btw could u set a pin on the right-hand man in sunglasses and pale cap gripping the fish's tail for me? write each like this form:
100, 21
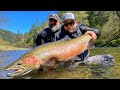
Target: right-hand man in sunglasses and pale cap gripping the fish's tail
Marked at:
71, 29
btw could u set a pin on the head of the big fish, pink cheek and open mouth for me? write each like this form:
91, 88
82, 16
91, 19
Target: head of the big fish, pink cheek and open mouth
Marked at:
22, 66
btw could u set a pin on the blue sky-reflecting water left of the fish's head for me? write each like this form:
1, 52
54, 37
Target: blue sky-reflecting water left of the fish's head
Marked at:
7, 58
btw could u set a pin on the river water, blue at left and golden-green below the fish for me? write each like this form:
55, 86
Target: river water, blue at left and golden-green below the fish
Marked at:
81, 72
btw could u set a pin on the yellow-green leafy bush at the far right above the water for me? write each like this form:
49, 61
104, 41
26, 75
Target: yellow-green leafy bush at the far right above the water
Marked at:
110, 30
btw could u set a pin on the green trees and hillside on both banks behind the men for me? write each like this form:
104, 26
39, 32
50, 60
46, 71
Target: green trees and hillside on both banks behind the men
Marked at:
108, 22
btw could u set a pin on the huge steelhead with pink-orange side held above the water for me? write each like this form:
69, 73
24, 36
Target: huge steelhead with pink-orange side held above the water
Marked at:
49, 54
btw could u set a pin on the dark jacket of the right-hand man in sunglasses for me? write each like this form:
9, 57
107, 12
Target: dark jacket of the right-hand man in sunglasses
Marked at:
80, 30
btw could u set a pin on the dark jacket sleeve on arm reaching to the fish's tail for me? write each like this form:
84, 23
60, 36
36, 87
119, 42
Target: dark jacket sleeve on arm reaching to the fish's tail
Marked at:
85, 28
